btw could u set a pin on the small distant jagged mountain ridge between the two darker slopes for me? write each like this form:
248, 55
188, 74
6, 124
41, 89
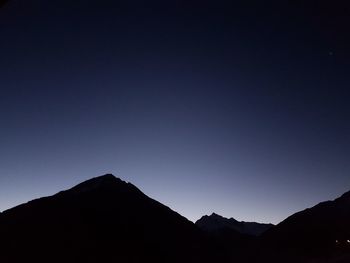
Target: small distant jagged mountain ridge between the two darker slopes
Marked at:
215, 223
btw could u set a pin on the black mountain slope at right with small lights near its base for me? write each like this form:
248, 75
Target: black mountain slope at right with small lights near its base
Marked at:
320, 233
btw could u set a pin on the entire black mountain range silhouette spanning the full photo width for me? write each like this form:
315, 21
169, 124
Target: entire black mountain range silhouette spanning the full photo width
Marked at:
106, 219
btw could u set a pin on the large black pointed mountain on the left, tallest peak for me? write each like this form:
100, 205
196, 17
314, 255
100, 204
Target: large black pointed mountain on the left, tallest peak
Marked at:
101, 220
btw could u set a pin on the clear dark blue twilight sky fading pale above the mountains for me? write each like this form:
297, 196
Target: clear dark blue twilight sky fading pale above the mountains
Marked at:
234, 107
